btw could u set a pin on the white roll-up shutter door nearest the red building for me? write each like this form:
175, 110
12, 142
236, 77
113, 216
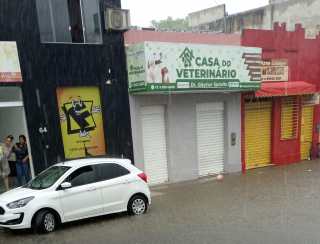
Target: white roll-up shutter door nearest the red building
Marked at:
210, 138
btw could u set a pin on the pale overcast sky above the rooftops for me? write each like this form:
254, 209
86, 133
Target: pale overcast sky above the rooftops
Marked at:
143, 11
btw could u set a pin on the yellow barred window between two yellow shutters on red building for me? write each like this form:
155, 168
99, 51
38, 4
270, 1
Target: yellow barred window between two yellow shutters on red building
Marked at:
289, 118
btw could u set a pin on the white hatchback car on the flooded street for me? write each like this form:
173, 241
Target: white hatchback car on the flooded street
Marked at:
75, 190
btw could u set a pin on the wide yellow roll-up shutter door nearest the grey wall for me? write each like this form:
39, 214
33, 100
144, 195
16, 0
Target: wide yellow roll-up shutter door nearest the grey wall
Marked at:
257, 133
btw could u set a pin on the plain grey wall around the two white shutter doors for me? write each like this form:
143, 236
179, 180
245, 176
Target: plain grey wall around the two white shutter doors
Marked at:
181, 131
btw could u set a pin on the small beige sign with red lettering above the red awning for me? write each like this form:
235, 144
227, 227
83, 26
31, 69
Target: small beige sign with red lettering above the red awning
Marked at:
275, 70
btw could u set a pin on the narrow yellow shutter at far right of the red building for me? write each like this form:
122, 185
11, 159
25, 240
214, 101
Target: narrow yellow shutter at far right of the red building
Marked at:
306, 128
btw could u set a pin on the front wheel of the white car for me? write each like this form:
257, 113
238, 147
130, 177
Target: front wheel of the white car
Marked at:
45, 222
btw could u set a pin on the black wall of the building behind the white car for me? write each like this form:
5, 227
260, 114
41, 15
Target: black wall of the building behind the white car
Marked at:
48, 66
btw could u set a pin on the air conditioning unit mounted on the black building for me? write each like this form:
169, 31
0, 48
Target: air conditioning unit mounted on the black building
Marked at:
117, 19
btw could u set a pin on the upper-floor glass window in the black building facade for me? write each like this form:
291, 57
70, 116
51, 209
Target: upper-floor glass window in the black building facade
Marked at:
69, 21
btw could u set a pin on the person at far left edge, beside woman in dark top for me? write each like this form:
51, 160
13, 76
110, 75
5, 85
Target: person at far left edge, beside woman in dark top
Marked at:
5, 152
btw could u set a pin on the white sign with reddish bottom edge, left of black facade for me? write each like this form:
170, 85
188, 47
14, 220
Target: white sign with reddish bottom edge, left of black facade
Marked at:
9, 63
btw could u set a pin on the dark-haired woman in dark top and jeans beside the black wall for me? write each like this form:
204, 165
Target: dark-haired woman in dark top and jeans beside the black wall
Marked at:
22, 160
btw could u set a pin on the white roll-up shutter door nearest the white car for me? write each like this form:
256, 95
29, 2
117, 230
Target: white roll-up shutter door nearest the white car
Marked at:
154, 144
